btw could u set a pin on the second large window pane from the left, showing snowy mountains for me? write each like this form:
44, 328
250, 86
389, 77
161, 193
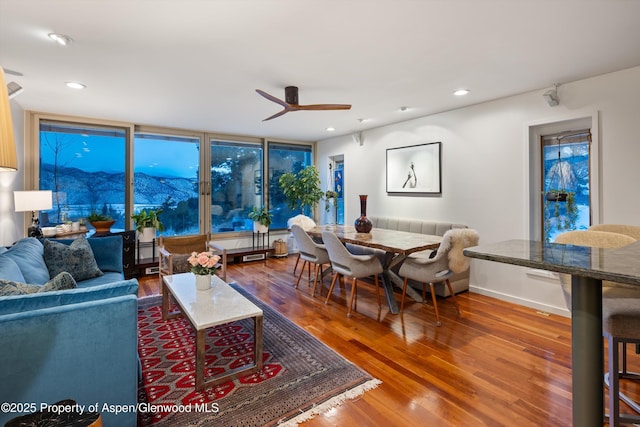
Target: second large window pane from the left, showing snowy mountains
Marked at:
166, 176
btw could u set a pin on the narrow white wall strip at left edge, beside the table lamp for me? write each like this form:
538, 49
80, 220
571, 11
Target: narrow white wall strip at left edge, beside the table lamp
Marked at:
12, 223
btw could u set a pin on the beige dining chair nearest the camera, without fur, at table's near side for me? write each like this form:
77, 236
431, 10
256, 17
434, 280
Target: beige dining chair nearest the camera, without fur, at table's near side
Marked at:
347, 264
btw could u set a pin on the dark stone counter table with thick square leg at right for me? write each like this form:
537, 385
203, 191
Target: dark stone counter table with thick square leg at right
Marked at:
588, 267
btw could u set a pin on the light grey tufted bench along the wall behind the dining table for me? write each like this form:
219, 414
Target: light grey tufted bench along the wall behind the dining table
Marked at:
459, 282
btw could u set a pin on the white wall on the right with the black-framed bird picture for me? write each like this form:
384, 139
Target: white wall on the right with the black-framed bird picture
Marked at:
485, 169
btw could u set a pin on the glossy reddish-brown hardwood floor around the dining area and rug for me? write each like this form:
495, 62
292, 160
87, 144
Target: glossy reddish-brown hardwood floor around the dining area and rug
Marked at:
498, 364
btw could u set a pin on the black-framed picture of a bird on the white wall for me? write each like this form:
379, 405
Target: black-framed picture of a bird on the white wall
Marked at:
415, 169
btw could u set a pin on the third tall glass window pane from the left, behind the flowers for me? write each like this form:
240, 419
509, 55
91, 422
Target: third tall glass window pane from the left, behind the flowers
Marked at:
236, 184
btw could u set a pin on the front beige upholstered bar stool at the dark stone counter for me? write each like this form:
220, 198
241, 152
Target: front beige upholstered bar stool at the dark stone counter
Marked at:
620, 319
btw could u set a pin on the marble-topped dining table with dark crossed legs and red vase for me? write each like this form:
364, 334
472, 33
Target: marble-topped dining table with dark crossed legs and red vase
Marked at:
395, 244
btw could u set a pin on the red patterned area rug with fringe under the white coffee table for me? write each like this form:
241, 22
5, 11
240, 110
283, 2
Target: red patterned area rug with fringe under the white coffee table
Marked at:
301, 377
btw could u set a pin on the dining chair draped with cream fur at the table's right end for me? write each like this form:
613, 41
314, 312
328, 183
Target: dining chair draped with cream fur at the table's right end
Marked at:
439, 266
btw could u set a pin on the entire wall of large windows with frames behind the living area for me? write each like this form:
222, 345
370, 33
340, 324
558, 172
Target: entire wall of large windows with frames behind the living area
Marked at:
202, 182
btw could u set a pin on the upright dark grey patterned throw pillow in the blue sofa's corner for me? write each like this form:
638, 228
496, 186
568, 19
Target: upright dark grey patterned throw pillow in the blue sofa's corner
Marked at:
76, 259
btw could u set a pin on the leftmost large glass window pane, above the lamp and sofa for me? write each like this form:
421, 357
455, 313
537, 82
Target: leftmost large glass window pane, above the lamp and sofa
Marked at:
84, 166
